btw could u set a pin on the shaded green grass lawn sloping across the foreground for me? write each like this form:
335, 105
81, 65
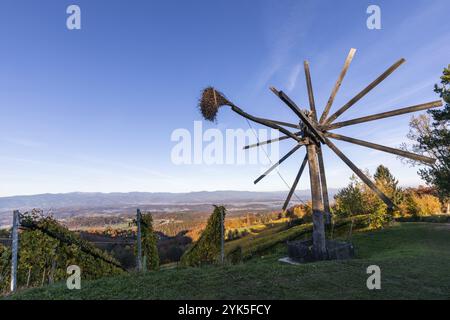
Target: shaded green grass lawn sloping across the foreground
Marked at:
414, 259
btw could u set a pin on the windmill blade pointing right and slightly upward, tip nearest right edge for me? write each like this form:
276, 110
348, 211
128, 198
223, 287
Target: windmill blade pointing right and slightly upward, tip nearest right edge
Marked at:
419, 107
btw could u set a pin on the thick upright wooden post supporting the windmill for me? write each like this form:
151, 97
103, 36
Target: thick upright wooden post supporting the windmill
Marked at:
319, 244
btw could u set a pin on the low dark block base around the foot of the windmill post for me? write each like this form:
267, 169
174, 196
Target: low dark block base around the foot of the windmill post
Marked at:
302, 251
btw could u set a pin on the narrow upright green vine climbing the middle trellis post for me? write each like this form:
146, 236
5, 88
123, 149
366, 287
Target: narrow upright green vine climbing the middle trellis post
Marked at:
149, 242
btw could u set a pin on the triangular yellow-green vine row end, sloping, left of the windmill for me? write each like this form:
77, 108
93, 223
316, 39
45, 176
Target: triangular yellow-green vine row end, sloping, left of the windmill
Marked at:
207, 249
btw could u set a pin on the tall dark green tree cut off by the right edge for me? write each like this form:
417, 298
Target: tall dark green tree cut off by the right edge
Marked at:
431, 136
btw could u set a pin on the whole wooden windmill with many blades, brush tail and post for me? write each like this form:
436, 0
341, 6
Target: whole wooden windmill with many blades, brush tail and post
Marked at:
314, 133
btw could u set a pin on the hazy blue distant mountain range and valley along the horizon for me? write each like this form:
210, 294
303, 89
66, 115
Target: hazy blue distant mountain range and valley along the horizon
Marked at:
82, 203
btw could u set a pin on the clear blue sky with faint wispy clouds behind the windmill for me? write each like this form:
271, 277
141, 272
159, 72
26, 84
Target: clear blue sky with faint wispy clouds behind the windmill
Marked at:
94, 109
